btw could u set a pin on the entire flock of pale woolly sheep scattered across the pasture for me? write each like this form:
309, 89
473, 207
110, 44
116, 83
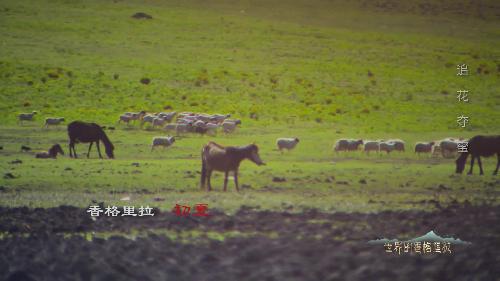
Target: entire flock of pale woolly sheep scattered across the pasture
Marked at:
190, 122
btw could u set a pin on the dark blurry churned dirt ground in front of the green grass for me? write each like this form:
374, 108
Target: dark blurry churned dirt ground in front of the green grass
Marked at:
37, 244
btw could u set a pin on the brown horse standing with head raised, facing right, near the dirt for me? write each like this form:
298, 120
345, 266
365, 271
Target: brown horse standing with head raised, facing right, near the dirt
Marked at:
225, 159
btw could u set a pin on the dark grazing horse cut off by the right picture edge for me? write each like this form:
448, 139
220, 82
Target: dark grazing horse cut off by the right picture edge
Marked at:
480, 146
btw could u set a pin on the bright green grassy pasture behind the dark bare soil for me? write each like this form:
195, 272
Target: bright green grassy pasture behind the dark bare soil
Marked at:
318, 70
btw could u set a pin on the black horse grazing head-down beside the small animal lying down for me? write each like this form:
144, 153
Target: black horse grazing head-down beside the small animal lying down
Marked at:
79, 131
